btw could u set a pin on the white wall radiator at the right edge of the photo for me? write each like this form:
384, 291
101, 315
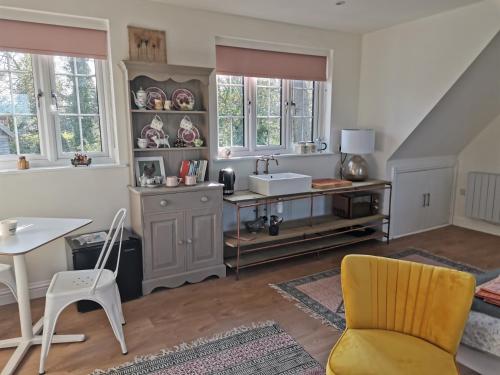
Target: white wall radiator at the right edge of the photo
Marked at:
482, 199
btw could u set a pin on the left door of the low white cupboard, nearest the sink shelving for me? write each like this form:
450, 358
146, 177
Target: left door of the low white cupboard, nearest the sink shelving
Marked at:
408, 215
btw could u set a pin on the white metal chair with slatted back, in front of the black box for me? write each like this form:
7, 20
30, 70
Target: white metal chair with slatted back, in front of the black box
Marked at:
97, 285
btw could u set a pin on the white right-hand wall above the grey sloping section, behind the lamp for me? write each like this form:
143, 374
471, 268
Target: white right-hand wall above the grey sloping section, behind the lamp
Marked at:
406, 70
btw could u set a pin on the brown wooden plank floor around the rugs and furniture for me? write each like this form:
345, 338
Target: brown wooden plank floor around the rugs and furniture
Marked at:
169, 317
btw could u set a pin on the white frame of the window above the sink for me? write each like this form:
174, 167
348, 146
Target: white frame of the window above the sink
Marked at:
250, 148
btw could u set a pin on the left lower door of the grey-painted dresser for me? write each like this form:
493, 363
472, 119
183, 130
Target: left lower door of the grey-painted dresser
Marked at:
164, 247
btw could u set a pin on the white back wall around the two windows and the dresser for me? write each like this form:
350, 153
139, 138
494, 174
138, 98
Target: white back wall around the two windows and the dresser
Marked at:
190, 41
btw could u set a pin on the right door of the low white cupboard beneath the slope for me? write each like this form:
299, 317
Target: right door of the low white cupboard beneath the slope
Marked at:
440, 186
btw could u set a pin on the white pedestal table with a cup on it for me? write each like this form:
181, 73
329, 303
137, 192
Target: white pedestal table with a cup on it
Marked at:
32, 233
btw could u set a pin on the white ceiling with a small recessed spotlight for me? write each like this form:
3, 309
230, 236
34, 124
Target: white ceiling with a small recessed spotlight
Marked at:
358, 16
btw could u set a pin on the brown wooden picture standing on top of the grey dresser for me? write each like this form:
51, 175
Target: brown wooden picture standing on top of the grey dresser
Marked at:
147, 45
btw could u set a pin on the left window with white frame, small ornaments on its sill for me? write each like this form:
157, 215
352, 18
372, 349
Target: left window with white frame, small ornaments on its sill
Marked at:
50, 108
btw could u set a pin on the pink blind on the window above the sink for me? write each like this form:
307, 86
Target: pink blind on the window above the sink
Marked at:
269, 64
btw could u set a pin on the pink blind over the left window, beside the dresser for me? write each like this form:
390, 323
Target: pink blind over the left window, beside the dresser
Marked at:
45, 39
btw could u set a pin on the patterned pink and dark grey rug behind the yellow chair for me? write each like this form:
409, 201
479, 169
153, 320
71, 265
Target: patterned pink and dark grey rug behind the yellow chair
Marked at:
320, 295
